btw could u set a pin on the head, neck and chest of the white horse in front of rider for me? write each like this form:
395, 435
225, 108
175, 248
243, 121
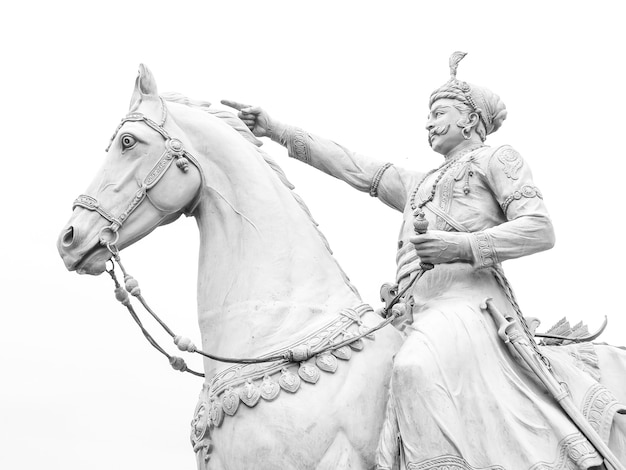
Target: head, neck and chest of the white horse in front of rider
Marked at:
267, 286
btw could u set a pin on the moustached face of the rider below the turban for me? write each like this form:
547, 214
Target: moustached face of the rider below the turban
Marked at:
444, 134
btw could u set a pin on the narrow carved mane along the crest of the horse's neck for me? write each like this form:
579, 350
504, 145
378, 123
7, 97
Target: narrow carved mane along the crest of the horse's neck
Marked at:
237, 124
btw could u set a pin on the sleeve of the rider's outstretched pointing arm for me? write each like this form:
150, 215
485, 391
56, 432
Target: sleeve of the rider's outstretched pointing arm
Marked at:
387, 182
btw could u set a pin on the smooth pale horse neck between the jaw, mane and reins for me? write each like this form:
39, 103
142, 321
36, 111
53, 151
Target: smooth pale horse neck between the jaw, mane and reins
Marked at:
265, 274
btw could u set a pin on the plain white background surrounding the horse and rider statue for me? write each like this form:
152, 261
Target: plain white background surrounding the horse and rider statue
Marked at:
79, 386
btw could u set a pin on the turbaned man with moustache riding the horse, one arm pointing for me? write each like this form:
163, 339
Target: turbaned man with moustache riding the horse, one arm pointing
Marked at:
458, 398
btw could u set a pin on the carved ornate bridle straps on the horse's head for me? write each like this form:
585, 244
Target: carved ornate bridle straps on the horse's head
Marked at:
174, 151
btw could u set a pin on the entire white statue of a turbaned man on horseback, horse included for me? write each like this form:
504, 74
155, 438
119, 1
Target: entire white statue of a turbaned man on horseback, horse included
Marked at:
300, 373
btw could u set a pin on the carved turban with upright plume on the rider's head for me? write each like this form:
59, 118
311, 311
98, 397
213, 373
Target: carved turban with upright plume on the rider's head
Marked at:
484, 102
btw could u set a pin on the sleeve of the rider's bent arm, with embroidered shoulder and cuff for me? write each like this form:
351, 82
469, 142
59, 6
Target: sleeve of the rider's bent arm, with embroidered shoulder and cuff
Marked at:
527, 227
